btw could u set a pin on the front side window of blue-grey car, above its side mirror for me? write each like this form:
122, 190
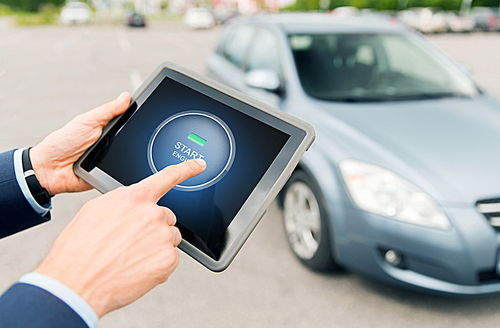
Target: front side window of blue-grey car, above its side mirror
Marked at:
264, 52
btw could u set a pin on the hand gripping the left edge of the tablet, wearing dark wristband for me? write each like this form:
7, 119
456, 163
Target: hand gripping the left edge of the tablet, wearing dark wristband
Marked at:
53, 158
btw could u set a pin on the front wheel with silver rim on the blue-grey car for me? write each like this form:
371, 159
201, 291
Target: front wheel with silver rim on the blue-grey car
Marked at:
305, 223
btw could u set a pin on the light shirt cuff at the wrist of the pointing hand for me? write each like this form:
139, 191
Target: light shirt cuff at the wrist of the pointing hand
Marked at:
65, 294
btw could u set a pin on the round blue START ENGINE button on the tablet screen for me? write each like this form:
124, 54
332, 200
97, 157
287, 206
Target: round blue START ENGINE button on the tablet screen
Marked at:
193, 135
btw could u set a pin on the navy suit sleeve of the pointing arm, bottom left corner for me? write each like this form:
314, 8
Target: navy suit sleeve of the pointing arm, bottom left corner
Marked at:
27, 306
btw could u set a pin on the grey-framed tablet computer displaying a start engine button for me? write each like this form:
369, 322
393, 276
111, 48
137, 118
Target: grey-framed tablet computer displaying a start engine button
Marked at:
250, 149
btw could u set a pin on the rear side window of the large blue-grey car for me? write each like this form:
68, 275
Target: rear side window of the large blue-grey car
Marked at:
237, 42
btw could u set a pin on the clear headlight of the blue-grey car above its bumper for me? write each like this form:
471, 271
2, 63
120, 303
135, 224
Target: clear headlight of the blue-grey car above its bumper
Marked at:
381, 191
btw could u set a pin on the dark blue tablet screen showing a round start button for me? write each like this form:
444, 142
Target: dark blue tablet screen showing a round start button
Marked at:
177, 123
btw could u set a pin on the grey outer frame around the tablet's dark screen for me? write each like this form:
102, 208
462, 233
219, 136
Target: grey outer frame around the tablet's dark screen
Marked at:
267, 188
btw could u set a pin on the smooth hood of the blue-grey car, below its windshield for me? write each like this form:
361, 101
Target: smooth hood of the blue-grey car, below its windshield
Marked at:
449, 147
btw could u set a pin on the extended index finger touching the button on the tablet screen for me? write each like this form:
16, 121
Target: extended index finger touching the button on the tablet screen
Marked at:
160, 183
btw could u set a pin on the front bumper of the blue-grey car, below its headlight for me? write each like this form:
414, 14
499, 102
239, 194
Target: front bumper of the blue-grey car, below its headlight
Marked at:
460, 261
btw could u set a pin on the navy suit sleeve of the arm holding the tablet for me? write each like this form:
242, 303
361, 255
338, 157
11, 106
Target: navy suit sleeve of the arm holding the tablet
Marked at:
16, 214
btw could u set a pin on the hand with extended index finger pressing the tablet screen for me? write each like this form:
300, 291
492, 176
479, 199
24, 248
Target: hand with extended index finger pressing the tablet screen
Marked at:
122, 244
